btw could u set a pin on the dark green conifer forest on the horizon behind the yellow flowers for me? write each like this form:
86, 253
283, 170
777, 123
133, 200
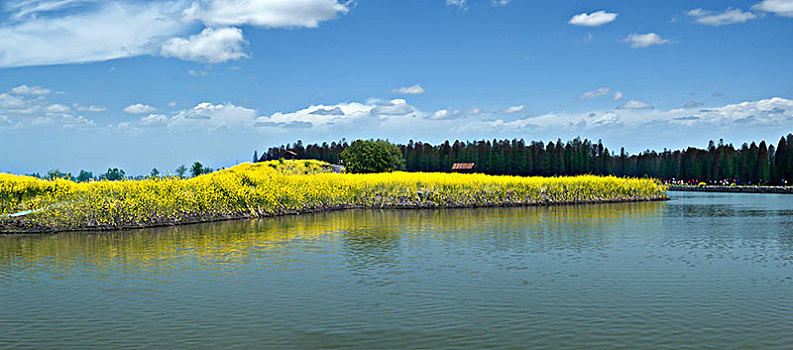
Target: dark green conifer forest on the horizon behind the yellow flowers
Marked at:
718, 163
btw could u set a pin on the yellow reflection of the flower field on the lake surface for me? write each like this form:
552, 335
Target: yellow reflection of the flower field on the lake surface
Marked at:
363, 233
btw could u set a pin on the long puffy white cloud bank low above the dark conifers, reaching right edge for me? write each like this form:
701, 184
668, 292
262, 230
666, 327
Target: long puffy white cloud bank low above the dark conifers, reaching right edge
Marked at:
385, 115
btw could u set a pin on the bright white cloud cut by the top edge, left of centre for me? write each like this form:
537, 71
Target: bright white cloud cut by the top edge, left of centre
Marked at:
270, 14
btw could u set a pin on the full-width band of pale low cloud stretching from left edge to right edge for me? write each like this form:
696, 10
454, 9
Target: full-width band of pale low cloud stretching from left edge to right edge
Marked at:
399, 120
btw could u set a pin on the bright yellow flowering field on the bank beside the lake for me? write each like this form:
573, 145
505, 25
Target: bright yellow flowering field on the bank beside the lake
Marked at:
283, 188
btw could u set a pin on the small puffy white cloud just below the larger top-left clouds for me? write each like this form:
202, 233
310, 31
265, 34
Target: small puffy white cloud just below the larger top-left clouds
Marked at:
211, 46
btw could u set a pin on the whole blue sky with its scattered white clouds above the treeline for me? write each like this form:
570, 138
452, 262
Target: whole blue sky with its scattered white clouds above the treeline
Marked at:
93, 84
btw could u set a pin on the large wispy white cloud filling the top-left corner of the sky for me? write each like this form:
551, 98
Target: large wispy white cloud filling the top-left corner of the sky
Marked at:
111, 30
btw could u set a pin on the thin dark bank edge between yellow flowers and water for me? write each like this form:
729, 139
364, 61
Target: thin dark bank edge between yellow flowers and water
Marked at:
4, 230
